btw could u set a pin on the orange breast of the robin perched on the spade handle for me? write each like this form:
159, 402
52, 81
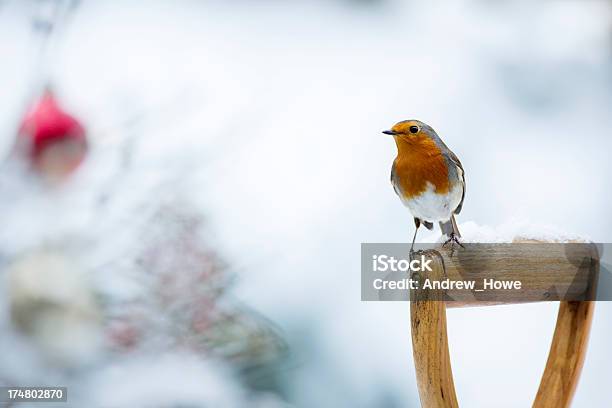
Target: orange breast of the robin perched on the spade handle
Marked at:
419, 161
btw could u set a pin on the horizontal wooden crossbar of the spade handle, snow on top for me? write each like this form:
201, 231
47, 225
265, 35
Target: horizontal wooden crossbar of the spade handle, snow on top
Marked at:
547, 271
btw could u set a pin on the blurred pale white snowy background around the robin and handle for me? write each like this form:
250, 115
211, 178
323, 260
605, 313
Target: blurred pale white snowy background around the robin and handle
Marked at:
263, 119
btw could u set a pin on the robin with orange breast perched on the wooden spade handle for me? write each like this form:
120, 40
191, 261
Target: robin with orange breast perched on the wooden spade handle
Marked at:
428, 177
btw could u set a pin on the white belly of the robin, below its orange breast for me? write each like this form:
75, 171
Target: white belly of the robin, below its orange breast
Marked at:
433, 207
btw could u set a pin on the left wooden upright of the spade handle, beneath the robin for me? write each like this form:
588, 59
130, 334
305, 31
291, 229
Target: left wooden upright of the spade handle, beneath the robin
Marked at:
430, 346
